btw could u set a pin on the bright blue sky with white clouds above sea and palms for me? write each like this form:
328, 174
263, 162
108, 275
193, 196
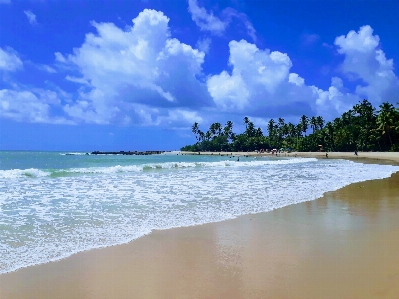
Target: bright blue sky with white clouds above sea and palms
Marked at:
135, 75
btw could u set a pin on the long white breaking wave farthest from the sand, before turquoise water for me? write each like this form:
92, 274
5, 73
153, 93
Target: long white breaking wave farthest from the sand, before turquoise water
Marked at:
37, 173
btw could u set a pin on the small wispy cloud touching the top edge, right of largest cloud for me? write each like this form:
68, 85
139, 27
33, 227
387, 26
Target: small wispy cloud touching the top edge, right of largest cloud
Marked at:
204, 20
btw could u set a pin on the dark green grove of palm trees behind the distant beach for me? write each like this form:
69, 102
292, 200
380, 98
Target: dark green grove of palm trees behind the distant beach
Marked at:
362, 128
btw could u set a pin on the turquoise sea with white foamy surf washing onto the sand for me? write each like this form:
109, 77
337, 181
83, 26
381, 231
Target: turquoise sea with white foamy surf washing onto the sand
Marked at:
55, 204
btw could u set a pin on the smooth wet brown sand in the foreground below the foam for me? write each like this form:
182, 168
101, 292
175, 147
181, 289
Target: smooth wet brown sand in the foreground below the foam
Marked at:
343, 245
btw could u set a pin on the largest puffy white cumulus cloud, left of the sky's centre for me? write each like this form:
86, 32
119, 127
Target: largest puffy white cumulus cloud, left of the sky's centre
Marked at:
139, 66
